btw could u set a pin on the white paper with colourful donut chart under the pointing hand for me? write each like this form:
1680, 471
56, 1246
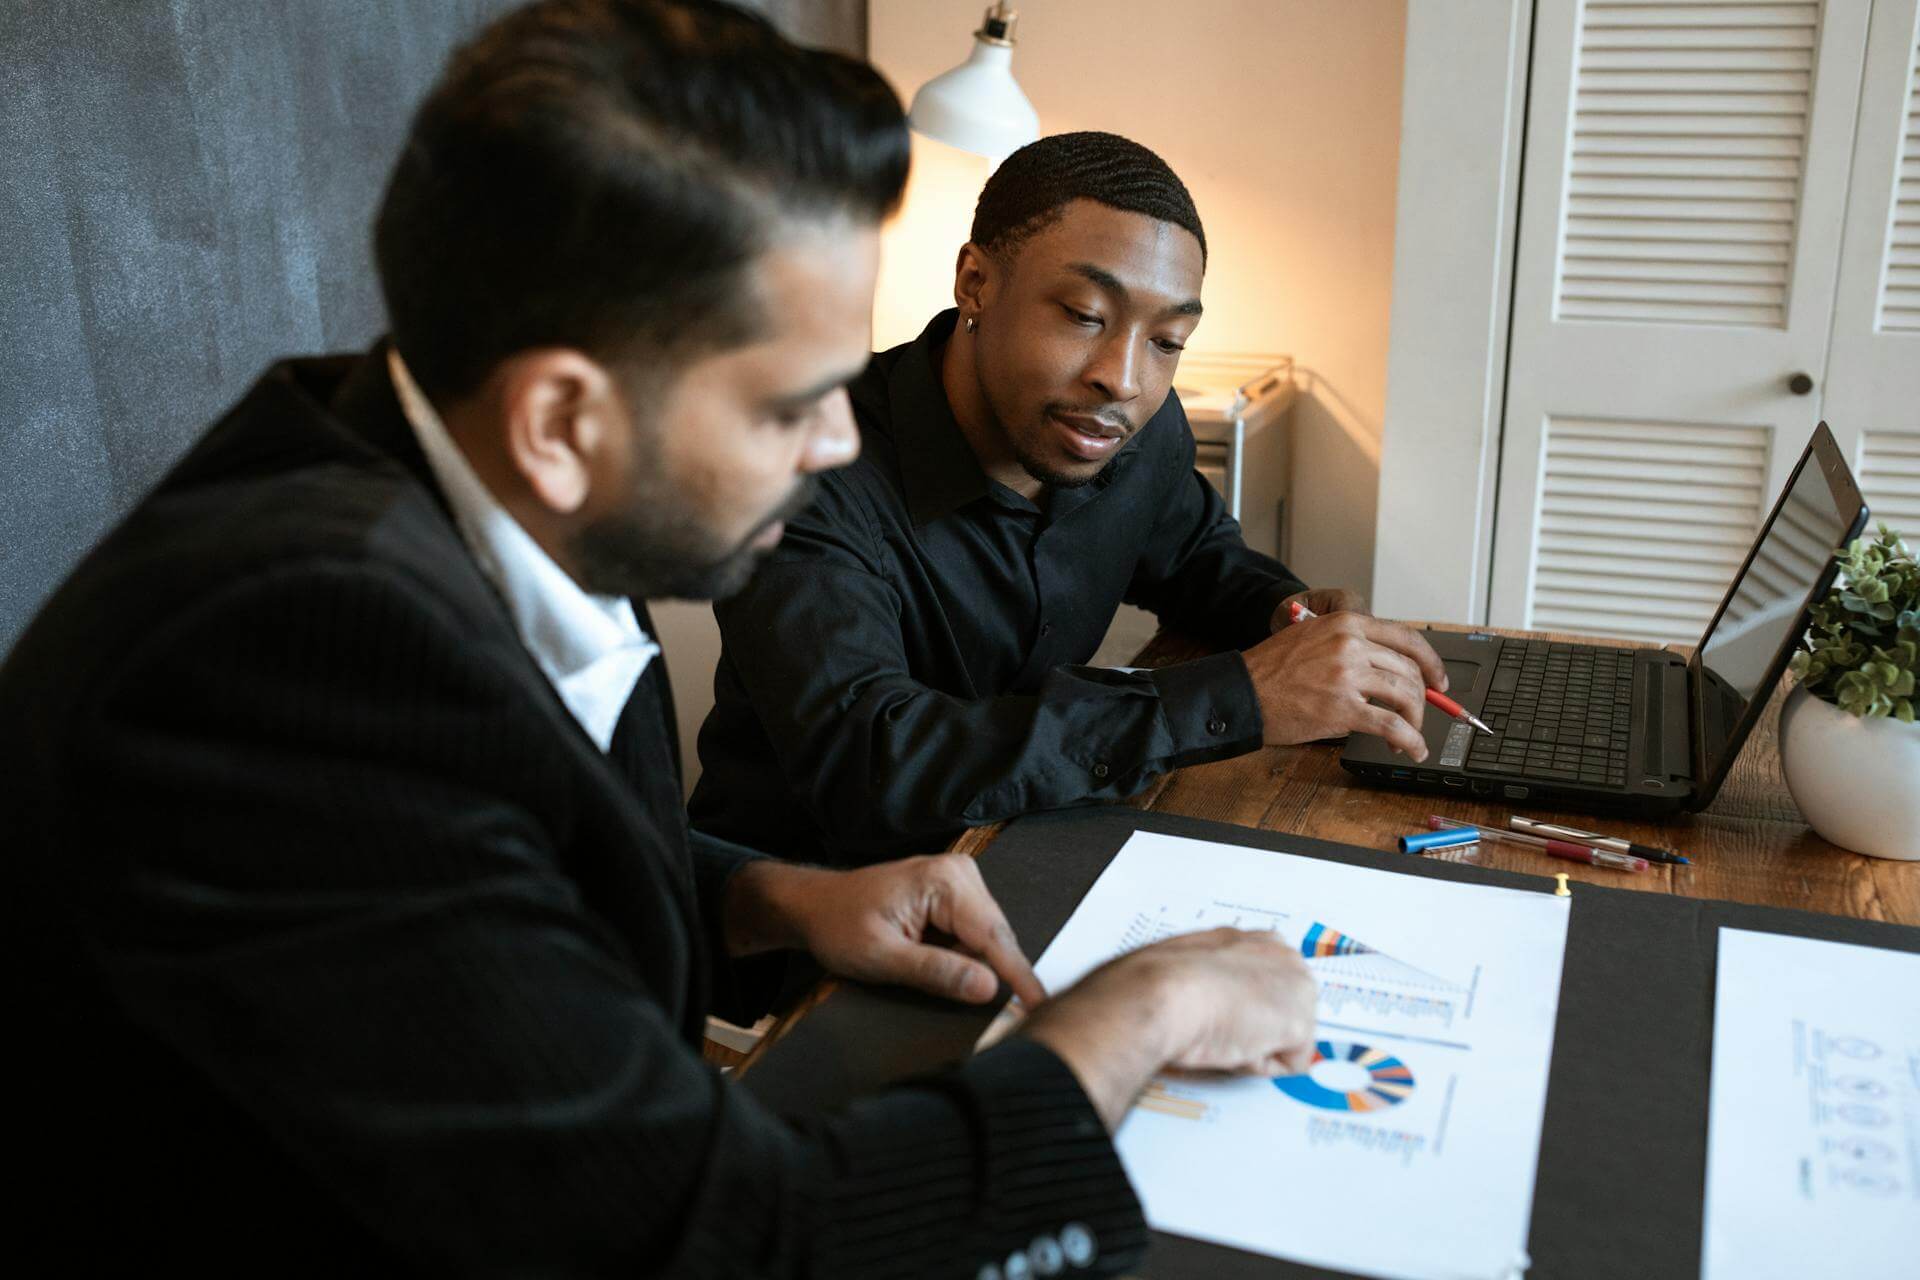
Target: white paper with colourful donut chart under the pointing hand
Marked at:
1408, 1150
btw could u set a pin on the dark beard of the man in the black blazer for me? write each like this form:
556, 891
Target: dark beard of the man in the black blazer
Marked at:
658, 550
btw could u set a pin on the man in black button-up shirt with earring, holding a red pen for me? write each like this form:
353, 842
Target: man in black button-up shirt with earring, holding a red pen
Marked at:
909, 661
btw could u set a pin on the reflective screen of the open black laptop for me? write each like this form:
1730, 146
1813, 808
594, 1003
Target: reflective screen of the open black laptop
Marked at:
1748, 644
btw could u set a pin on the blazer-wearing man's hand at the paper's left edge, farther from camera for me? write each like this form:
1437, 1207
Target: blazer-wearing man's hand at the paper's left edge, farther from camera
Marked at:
886, 924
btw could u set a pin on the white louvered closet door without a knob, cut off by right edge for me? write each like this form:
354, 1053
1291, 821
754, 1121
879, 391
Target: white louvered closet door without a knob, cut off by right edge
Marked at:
1873, 385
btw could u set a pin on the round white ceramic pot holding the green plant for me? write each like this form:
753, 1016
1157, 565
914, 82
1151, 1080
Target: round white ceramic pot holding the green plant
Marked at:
1858, 782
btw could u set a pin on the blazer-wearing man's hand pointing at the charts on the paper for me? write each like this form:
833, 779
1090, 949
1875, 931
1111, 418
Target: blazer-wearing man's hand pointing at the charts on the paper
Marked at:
1220, 1001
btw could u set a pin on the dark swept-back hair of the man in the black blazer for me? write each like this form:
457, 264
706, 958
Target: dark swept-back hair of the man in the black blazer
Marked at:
598, 174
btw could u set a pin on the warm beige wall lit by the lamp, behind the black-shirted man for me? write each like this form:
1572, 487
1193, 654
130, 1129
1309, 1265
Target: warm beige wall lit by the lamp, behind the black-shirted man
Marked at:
1284, 118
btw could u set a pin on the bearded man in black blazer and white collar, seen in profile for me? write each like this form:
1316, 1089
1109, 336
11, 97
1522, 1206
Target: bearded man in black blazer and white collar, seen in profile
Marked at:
354, 914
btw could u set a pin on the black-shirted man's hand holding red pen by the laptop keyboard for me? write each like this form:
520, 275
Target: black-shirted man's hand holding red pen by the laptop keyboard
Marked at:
1320, 678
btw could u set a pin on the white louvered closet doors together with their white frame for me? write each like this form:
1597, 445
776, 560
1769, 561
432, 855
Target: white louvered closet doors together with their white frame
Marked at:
1717, 247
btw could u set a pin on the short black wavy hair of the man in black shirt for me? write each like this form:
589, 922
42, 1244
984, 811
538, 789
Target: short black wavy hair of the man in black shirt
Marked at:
1034, 187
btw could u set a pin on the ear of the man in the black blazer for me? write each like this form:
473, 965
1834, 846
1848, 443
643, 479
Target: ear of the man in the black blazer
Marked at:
564, 419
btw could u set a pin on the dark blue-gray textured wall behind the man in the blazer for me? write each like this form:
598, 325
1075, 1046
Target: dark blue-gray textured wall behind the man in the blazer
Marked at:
185, 197
